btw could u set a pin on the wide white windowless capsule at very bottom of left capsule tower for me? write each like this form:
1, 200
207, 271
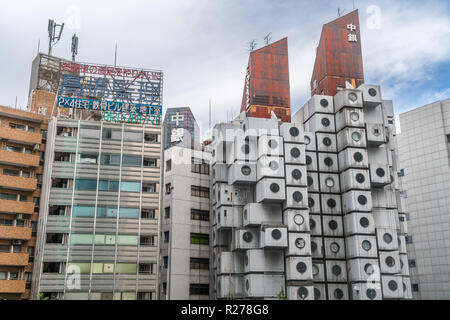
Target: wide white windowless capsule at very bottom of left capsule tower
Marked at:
263, 285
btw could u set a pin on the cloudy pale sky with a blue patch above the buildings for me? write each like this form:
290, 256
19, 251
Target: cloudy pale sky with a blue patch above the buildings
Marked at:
202, 46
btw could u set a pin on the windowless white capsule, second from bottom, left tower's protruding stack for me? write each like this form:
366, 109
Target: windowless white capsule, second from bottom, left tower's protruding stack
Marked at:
260, 260
